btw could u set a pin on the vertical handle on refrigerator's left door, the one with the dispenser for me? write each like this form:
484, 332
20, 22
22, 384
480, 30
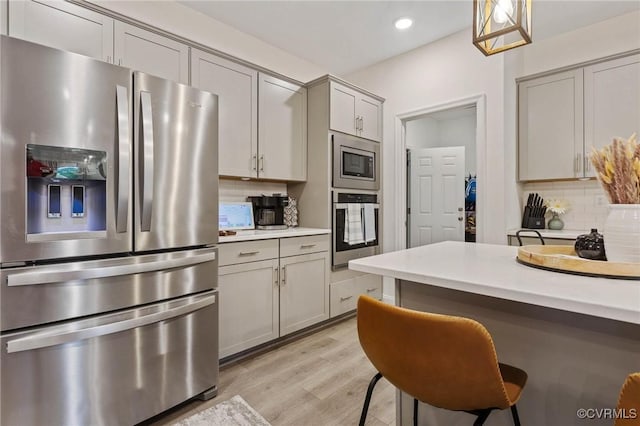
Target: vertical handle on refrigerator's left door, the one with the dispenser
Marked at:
122, 207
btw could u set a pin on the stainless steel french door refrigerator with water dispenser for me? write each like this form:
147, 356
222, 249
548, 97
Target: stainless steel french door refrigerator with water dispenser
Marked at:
108, 208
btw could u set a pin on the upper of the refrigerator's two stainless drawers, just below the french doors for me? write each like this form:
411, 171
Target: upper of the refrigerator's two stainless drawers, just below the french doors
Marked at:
41, 294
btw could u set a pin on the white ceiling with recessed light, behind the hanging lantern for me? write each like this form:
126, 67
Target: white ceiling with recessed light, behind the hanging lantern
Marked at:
344, 36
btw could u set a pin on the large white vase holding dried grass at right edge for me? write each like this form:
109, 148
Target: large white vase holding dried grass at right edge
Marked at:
622, 233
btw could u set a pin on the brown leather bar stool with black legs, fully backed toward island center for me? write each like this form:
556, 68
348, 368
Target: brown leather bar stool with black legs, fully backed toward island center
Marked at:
444, 361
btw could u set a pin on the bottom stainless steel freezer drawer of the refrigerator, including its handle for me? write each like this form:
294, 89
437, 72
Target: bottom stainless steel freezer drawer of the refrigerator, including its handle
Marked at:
118, 368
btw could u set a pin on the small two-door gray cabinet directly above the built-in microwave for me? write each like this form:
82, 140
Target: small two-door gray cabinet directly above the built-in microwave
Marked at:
355, 113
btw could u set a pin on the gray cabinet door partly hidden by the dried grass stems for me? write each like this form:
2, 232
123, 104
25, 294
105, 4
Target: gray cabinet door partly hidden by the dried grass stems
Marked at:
611, 102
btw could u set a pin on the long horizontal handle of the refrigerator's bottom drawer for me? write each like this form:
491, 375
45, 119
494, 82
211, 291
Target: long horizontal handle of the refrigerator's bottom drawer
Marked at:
49, 338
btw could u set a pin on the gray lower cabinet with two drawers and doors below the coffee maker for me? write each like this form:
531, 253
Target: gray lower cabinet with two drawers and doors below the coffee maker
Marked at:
271, 288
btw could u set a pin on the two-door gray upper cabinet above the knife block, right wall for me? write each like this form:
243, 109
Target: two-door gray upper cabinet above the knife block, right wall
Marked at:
562, 116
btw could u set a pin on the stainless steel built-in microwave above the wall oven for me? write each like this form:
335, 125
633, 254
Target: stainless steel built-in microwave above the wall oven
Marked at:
356, 163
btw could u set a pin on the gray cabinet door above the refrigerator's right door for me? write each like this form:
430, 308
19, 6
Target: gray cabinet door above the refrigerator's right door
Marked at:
151, 53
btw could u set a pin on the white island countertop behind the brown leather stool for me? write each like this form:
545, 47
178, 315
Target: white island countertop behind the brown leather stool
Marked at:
492, 270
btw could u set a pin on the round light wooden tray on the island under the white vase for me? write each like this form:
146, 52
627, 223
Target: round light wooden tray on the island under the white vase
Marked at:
564, 259
